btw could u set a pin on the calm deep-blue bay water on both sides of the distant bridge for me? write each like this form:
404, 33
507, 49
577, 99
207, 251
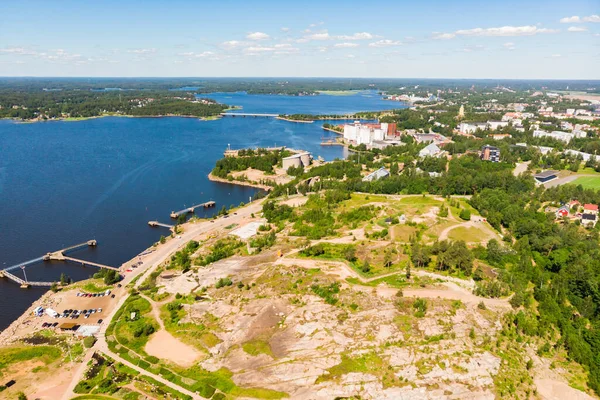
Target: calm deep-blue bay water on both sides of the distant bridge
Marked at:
63, 183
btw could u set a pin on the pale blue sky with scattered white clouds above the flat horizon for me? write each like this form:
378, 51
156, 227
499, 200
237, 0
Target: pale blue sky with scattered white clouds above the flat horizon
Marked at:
544, 39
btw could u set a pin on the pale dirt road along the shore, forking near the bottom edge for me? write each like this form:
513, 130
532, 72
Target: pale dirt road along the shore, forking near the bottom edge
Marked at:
152, 261
